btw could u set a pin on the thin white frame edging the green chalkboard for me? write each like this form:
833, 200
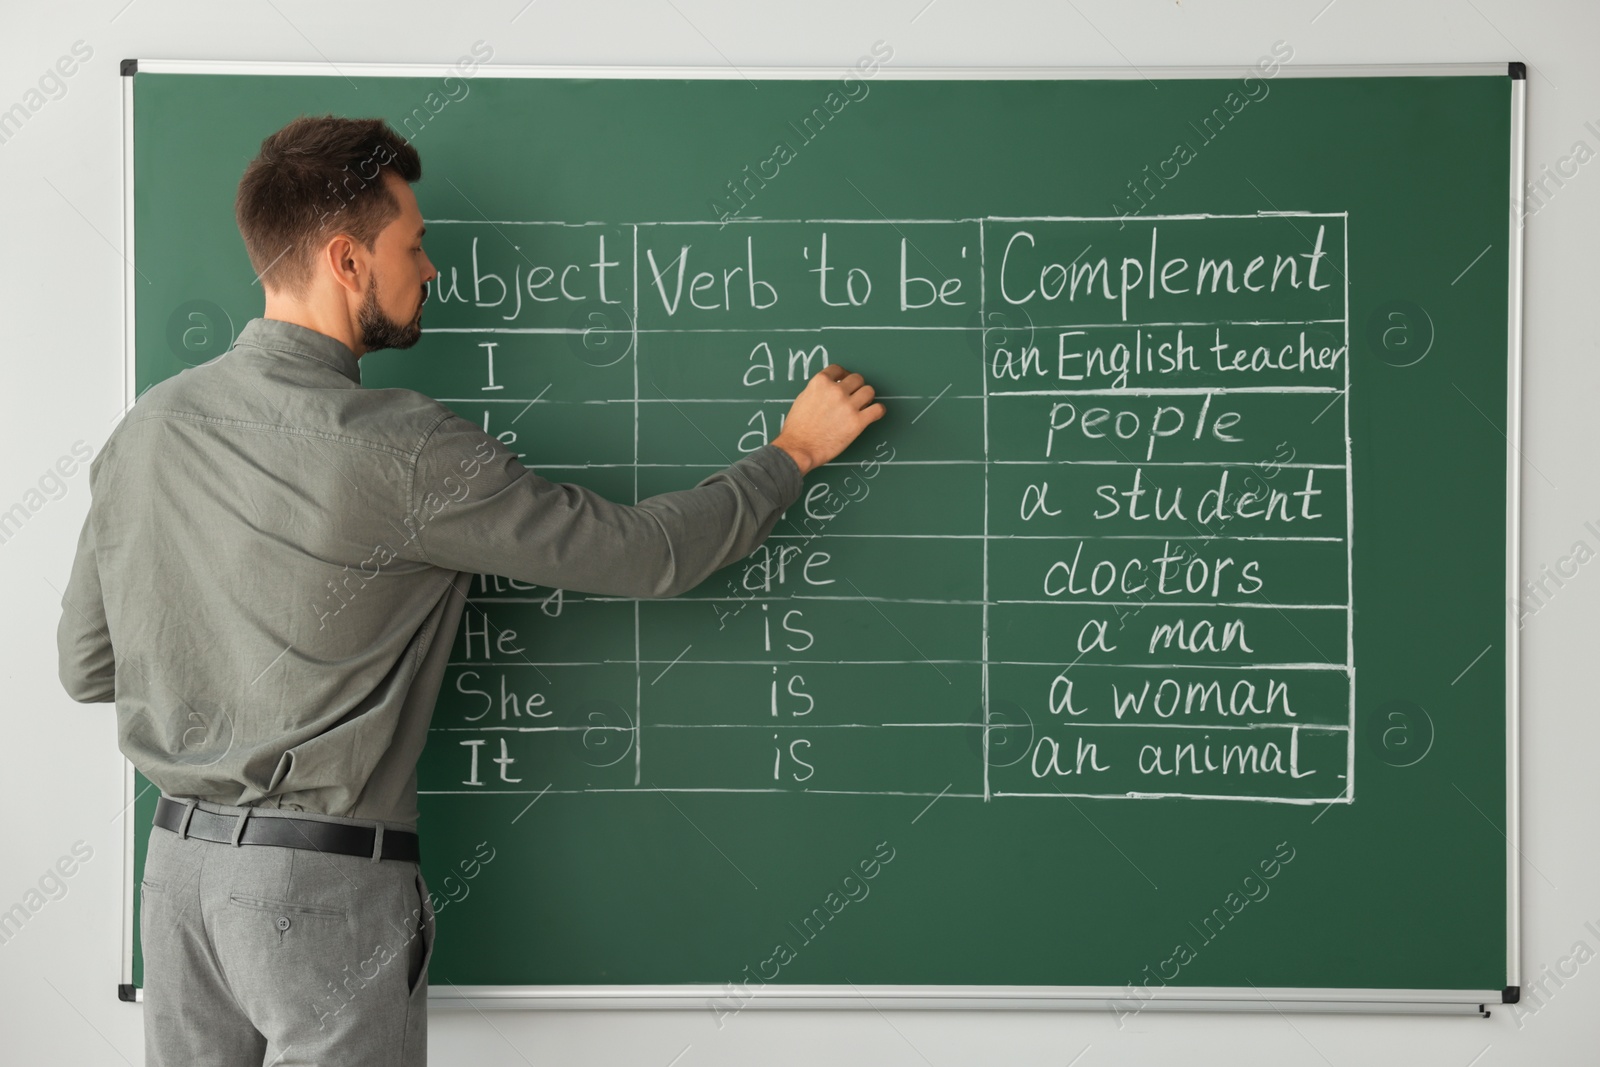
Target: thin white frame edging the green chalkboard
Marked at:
956, 997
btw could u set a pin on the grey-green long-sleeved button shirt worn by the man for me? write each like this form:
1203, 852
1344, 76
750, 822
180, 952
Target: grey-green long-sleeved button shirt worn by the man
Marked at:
276, 562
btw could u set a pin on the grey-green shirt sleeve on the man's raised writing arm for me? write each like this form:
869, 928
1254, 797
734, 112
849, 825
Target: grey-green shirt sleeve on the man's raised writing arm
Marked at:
476, 508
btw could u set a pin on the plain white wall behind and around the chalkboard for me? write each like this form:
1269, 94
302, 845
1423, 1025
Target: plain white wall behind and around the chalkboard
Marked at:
62, 338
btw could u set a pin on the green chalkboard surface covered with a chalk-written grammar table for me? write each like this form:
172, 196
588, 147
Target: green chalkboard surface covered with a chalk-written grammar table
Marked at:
1158, 639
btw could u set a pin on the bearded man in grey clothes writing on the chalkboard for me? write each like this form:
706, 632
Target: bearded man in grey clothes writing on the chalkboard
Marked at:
270, 583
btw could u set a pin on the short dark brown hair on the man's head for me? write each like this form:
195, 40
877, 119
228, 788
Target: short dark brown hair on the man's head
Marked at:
313, 180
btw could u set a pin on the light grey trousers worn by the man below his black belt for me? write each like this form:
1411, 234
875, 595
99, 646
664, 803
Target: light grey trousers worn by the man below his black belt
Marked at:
282, 957
